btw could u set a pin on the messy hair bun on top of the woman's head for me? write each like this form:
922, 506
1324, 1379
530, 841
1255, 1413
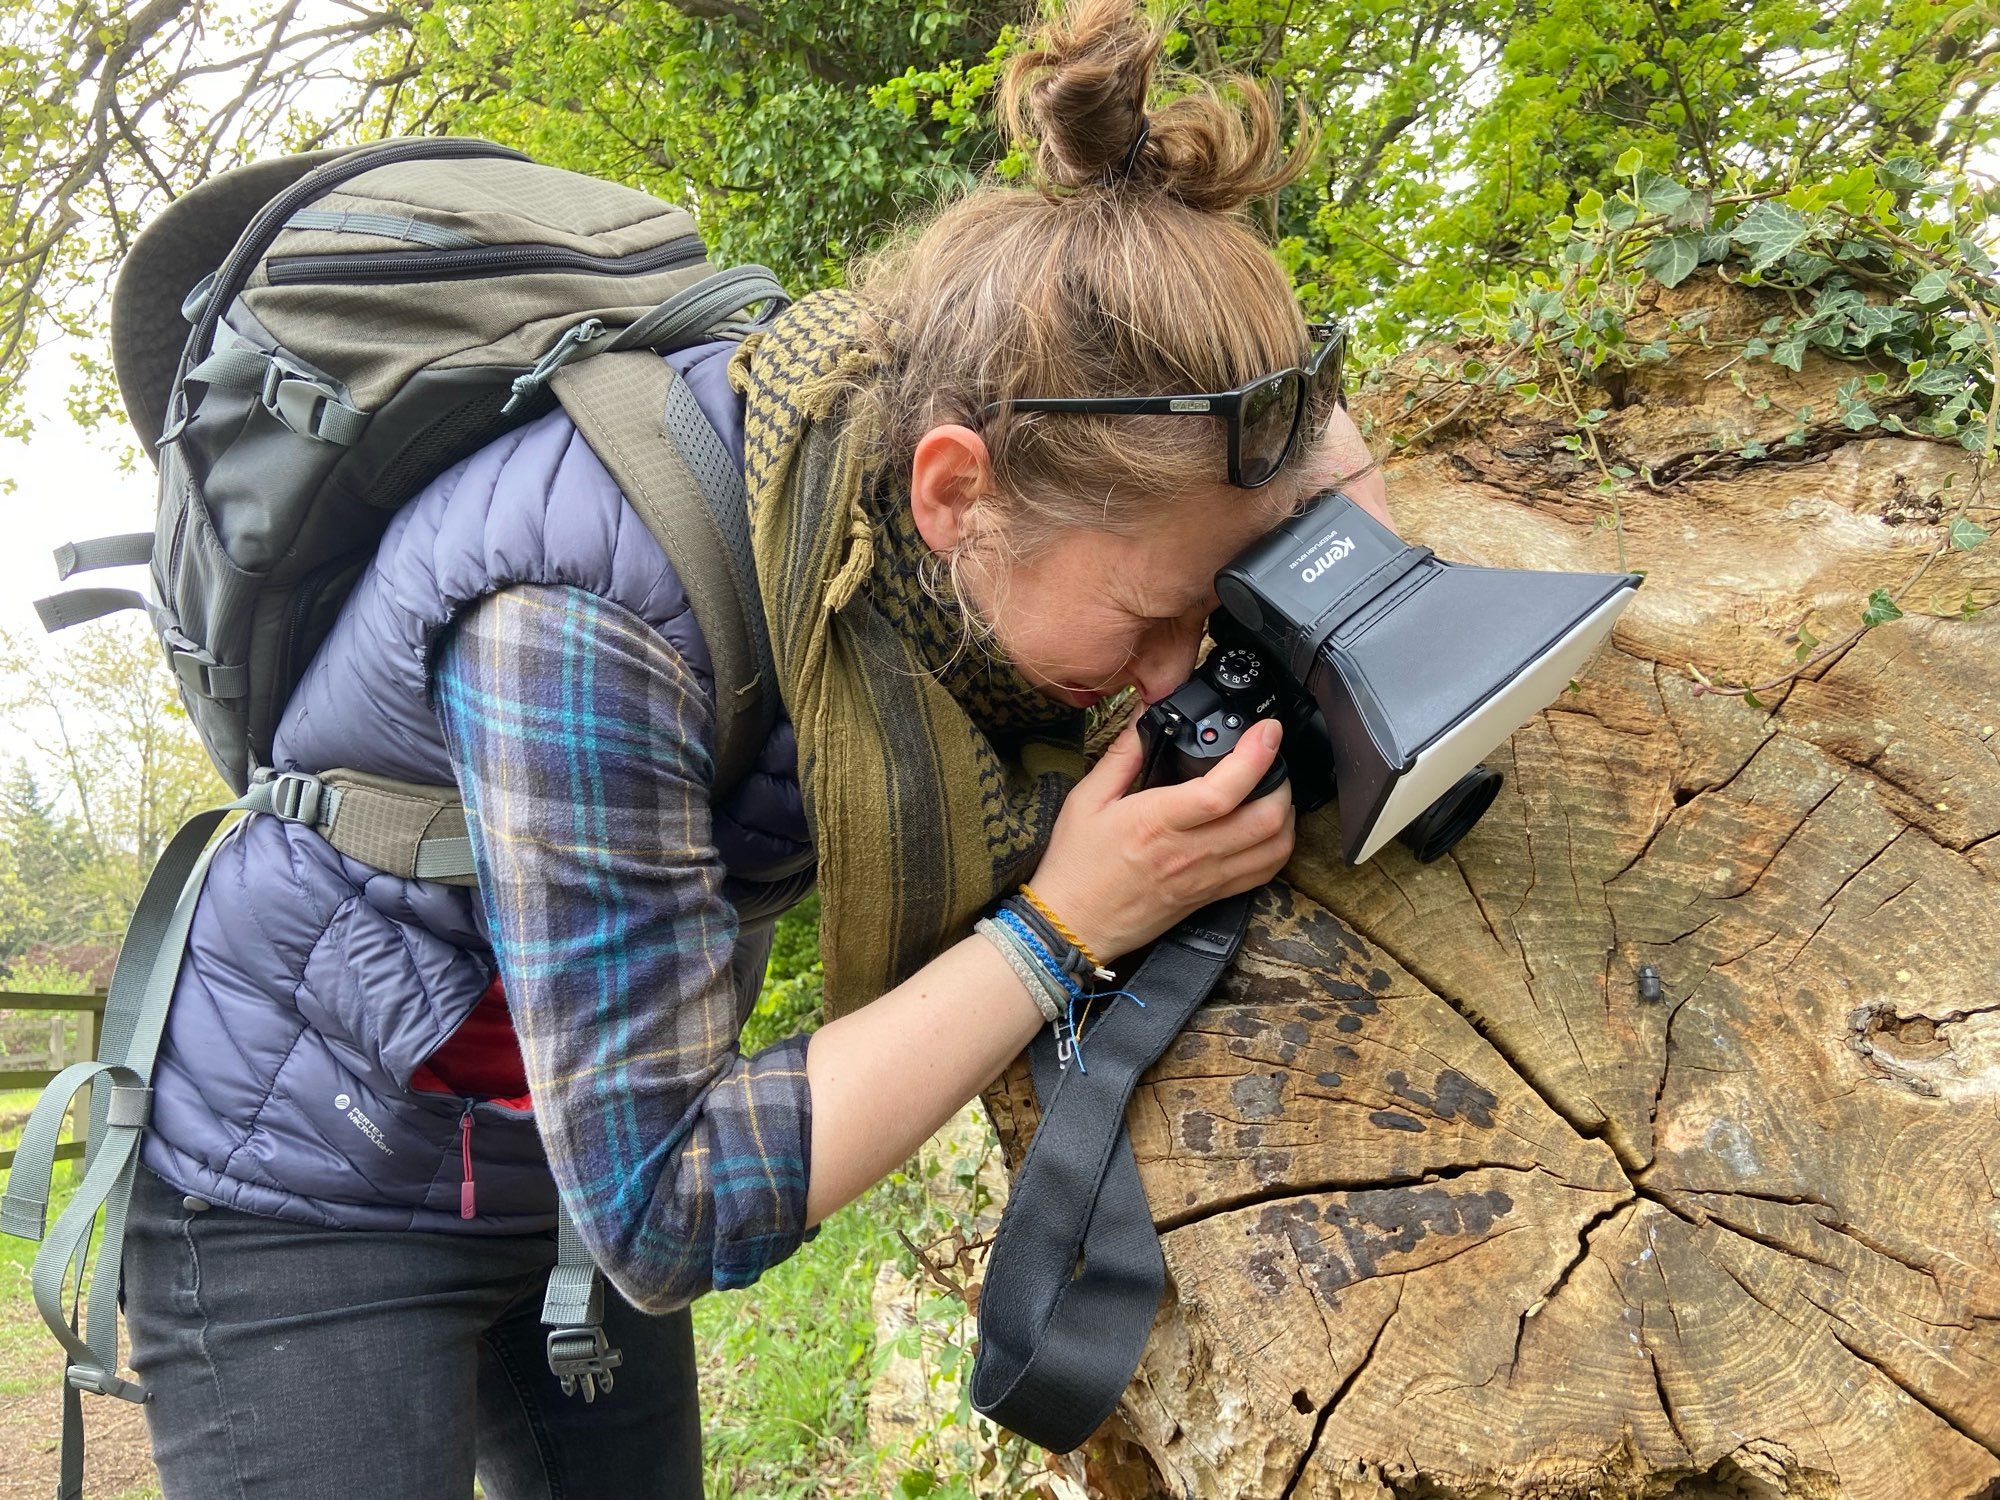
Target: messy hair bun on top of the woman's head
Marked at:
1081, 89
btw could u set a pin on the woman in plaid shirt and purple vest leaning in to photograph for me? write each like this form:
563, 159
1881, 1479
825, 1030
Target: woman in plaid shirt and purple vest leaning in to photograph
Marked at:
375, 1089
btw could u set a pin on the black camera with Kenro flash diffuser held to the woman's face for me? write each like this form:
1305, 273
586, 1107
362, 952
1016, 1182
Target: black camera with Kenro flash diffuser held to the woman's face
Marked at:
1391, 671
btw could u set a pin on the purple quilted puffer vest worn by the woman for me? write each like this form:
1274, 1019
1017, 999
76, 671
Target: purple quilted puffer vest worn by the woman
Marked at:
315, 987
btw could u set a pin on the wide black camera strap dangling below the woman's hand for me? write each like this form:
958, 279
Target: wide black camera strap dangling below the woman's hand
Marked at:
1075, 1273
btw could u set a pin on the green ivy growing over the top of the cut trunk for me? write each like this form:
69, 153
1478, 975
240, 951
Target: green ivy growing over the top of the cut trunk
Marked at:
1881, 265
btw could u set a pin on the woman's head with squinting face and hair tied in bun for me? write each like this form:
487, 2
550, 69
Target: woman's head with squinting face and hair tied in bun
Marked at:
1087, 545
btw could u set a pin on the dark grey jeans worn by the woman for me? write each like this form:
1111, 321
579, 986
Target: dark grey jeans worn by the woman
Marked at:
297, 1363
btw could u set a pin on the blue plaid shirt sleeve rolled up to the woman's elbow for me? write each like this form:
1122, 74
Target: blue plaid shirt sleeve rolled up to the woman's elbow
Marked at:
581, 743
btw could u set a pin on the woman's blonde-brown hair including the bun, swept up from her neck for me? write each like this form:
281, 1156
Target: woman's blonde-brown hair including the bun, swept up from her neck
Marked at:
1129, 269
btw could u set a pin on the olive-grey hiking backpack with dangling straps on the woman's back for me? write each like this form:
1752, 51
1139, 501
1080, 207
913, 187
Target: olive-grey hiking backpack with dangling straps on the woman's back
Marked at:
303, 345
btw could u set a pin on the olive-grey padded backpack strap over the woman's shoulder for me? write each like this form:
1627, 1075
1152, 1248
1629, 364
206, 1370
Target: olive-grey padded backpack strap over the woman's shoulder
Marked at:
651, 433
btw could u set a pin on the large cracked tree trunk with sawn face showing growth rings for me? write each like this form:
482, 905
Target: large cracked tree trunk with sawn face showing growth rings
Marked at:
1451, 1209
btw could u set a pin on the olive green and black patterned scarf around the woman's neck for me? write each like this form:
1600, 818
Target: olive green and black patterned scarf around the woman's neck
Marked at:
933, 771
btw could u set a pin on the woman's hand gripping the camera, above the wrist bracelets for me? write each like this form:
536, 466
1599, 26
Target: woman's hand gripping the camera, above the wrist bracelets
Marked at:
1123, 867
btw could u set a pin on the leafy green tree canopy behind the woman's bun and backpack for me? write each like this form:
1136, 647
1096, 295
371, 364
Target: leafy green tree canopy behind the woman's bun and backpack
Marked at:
1453, 133
